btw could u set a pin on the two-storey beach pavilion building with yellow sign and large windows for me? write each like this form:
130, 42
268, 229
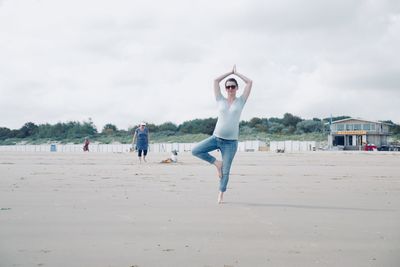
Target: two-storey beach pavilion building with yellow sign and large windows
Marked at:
353, 134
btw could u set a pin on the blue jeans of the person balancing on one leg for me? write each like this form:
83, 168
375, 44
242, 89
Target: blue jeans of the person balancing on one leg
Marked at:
228, 150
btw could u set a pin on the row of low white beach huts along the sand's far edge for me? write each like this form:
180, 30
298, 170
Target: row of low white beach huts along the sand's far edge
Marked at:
243, 146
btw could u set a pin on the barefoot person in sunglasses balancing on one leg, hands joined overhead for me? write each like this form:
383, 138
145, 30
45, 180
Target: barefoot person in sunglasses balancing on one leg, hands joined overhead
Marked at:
226, 130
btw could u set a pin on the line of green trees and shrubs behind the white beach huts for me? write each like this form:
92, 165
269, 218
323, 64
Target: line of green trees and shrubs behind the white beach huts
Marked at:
288, 124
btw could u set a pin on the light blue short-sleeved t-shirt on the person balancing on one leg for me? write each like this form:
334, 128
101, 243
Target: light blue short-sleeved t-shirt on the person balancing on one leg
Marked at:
227, 126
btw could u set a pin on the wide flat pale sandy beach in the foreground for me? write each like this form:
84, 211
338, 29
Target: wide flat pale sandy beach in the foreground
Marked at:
106, 209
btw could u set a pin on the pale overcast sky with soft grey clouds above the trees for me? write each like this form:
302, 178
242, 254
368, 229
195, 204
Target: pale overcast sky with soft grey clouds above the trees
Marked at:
126, 61
